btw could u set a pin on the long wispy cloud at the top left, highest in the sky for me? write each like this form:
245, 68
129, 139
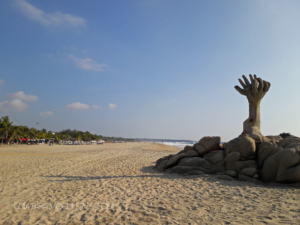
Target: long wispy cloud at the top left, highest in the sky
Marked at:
48, 19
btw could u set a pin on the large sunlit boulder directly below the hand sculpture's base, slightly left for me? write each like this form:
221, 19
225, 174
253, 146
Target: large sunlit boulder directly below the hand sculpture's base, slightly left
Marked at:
244, 145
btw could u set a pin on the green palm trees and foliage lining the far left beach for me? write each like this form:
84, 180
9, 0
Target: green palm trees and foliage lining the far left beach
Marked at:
14, 134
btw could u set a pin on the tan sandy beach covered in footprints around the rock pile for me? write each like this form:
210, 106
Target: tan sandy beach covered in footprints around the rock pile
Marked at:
116, 184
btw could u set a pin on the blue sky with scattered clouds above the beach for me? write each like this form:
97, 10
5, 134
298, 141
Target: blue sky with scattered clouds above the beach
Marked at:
149, 68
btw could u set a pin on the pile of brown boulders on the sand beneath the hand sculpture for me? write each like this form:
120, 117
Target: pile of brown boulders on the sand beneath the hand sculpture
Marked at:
275, 159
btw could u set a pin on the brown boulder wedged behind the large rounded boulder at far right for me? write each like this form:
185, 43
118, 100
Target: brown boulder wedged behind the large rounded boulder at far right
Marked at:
265, 150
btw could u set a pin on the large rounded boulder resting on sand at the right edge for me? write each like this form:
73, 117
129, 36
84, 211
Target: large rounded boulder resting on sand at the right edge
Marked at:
282, 166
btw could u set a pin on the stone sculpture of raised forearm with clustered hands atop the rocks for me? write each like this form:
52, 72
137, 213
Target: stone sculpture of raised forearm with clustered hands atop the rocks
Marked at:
254, 92
